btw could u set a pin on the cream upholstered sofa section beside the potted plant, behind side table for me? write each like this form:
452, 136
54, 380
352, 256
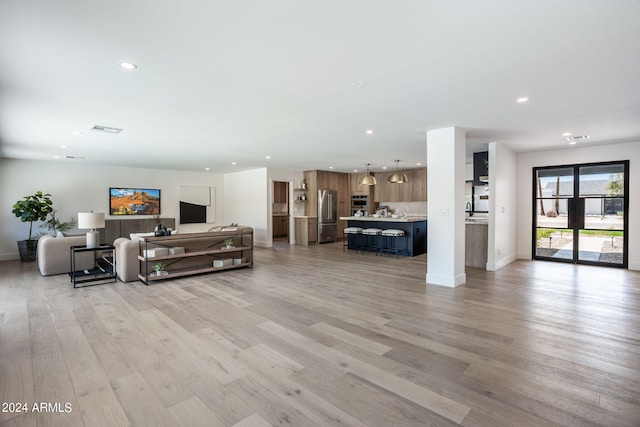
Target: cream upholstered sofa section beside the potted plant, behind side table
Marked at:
54, 255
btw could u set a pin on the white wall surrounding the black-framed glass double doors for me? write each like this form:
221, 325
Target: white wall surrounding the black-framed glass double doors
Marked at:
527, 161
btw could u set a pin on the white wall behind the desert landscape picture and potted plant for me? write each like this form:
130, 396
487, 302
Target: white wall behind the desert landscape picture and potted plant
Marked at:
80, 187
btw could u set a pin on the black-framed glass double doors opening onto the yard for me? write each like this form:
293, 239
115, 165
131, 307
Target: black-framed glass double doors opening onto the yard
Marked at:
580, 213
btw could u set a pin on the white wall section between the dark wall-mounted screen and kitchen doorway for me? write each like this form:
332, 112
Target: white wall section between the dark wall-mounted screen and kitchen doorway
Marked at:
247, 202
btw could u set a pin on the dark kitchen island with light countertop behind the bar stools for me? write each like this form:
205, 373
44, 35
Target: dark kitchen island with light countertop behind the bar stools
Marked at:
415, 229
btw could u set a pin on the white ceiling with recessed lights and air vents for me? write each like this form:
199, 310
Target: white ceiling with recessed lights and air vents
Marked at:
300, 80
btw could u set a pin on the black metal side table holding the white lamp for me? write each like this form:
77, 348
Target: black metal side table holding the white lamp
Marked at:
104, 270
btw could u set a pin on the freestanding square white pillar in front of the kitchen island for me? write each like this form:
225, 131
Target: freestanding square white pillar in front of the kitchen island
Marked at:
446, 189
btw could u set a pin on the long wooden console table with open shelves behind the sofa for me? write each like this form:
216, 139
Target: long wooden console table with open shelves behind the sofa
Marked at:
195, 253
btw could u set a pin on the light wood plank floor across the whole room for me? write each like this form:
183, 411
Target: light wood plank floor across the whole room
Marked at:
314, 337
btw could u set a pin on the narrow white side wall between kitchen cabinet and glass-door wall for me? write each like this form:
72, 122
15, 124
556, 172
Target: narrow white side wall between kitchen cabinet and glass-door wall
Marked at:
502, 207
